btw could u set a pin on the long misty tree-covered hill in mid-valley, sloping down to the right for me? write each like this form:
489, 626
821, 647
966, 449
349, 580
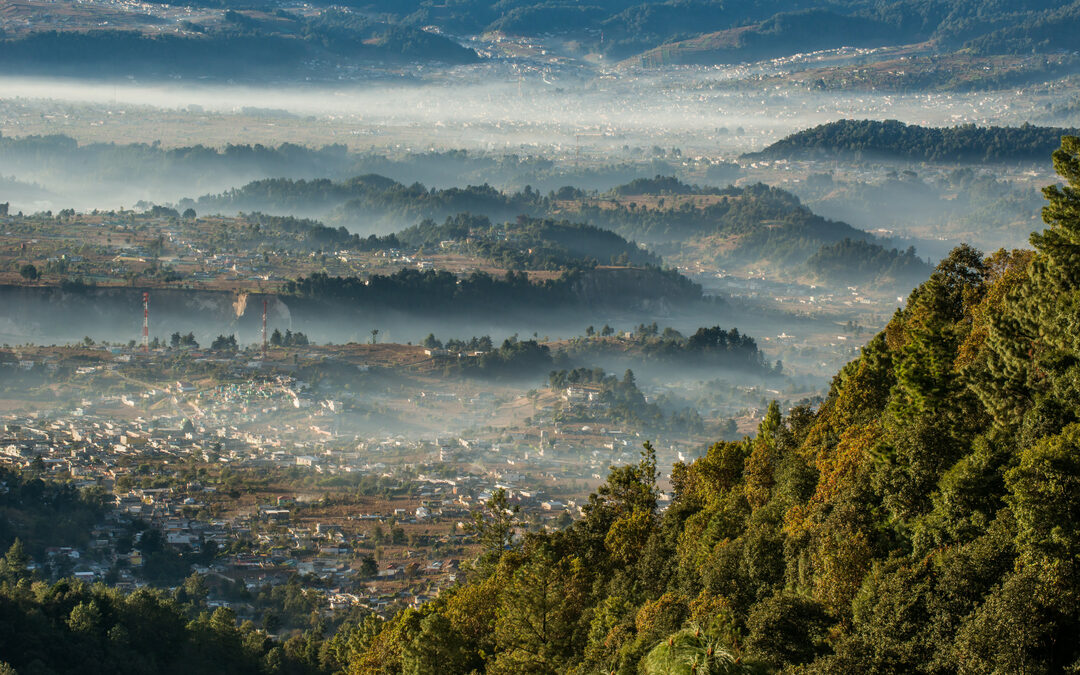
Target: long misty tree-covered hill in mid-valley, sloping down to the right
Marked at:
758, 224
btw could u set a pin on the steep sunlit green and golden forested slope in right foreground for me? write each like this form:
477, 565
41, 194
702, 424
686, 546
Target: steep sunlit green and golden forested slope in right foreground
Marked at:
926, 518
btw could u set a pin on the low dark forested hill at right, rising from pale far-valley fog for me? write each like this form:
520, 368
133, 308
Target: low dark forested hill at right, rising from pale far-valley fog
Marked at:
894, 140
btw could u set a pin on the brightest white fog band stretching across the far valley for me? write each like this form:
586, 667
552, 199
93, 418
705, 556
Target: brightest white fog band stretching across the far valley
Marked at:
573, 118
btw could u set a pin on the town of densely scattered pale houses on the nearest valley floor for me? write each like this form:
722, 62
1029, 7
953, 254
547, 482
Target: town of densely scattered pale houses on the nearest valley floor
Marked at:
245, 480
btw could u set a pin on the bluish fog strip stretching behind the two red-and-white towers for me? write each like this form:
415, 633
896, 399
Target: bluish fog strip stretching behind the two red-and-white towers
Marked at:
45, 317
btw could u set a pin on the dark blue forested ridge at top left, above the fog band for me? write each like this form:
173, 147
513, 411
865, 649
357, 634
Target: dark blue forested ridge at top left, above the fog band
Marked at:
235, 45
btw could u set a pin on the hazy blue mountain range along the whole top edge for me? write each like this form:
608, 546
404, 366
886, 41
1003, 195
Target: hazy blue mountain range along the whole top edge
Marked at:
227, 38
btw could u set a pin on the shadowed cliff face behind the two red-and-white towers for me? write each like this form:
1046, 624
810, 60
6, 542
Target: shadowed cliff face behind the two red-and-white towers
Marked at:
43, 315
